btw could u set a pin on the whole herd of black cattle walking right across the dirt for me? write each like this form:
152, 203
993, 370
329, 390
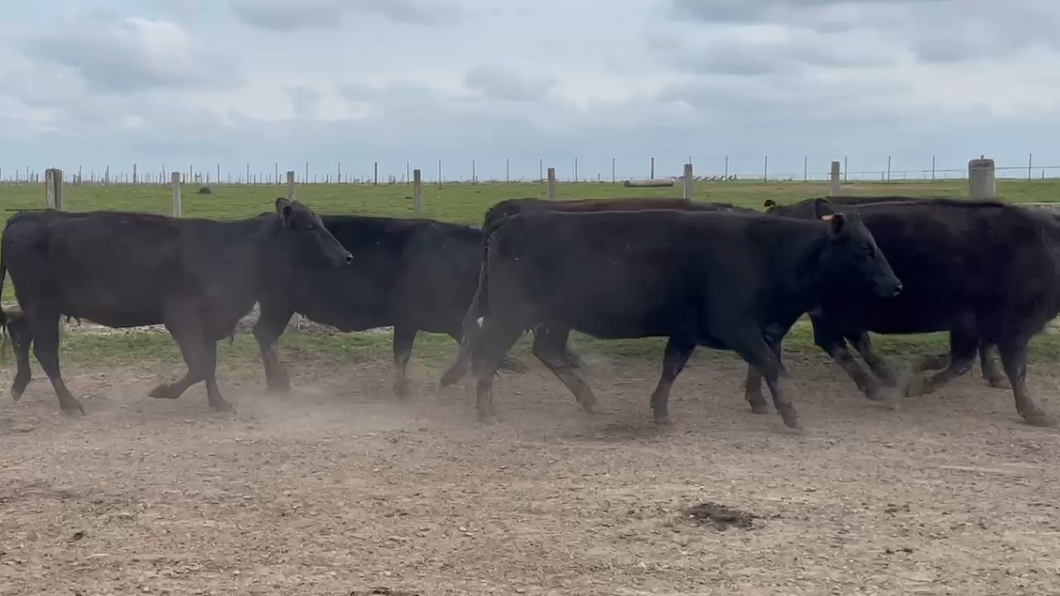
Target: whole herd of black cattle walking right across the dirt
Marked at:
698, 274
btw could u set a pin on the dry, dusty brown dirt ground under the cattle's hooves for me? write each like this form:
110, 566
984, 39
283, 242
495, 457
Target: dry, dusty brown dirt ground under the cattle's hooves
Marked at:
339, 489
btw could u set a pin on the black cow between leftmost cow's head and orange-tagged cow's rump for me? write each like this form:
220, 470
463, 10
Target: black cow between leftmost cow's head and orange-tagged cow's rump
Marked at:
416, 275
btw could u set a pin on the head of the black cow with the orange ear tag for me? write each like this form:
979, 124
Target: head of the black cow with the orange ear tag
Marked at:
851, 256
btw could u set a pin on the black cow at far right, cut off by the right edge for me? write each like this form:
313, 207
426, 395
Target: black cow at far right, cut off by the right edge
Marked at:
986, 272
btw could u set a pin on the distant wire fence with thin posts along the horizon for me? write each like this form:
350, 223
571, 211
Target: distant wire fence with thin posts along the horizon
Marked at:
333, 173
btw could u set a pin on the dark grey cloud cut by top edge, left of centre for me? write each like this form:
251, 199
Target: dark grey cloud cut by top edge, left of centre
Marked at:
293, 15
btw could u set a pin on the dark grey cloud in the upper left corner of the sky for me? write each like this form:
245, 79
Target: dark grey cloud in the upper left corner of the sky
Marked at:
122, 56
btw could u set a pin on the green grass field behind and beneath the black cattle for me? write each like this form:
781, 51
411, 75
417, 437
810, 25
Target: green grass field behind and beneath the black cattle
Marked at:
454, 203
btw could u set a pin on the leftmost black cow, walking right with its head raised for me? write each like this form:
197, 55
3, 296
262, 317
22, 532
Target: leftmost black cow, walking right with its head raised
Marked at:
198, 277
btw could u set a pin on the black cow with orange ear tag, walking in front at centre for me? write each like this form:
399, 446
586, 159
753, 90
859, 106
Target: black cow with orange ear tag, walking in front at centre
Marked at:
721, 281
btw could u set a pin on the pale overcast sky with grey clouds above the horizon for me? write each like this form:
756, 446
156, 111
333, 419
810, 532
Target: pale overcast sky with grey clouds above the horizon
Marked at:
93, 83
